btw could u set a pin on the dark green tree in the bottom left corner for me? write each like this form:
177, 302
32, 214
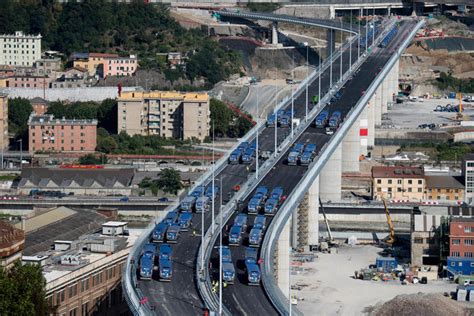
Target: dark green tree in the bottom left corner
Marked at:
22, 290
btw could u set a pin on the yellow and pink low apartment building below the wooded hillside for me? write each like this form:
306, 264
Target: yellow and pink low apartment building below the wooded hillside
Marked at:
104, 65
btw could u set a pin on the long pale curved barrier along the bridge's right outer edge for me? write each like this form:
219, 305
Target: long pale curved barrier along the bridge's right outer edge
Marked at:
280, 219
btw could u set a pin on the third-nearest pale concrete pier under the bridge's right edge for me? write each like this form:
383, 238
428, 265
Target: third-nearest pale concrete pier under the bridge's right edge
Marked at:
330, 177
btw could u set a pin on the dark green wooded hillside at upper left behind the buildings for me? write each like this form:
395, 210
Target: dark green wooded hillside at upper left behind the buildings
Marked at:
135, 28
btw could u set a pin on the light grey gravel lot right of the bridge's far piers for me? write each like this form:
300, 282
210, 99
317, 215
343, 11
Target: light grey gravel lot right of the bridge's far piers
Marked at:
411, 114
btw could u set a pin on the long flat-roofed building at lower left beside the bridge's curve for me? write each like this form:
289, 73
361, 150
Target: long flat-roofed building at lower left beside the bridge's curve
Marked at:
83, 276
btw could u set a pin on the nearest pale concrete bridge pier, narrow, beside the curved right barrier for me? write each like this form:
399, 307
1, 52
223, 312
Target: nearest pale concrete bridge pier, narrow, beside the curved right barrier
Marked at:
284, 259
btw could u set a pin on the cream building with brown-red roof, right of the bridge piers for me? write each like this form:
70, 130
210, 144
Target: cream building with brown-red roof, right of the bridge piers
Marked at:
398, 183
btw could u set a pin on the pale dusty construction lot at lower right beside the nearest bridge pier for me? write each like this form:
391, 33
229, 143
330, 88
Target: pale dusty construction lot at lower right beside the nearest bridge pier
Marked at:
328, 287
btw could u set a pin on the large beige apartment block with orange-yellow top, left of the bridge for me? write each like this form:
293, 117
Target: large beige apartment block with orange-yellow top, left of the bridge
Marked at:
167, 114
